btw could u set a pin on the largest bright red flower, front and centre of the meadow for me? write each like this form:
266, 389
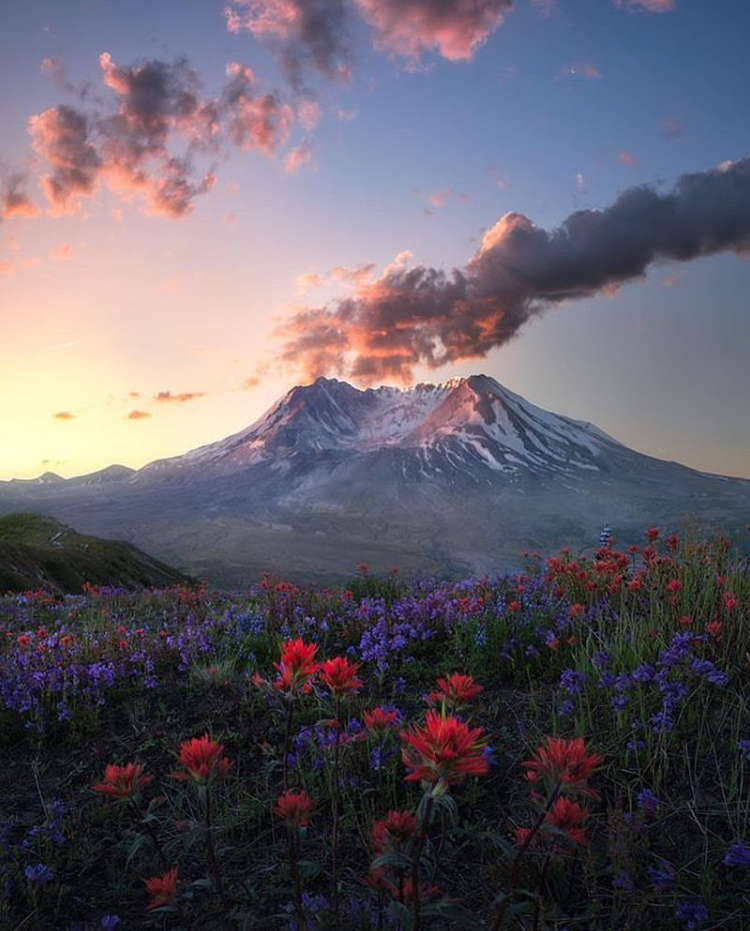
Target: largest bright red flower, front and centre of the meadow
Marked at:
444, 750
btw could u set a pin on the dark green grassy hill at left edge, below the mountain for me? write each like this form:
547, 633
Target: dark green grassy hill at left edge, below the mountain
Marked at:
39, 552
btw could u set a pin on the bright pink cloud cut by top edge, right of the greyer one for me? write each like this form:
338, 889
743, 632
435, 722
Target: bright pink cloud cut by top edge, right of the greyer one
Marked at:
454, 28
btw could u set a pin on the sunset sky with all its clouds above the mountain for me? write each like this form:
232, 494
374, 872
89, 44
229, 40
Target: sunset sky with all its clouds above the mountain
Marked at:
204, 204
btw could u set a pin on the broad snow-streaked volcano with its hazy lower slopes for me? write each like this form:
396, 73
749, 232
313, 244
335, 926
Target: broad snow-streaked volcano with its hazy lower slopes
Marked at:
457, 477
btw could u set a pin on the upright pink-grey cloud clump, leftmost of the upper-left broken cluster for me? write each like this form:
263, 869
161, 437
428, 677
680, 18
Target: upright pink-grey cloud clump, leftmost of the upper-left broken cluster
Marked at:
62, 137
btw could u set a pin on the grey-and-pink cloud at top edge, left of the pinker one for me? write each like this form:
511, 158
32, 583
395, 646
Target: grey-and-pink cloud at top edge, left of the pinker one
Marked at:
305, 34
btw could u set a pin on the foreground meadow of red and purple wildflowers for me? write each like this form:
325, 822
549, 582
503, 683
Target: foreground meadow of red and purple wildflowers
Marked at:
567, 748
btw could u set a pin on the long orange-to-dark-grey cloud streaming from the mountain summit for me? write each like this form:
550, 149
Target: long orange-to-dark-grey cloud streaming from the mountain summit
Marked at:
421, 315
